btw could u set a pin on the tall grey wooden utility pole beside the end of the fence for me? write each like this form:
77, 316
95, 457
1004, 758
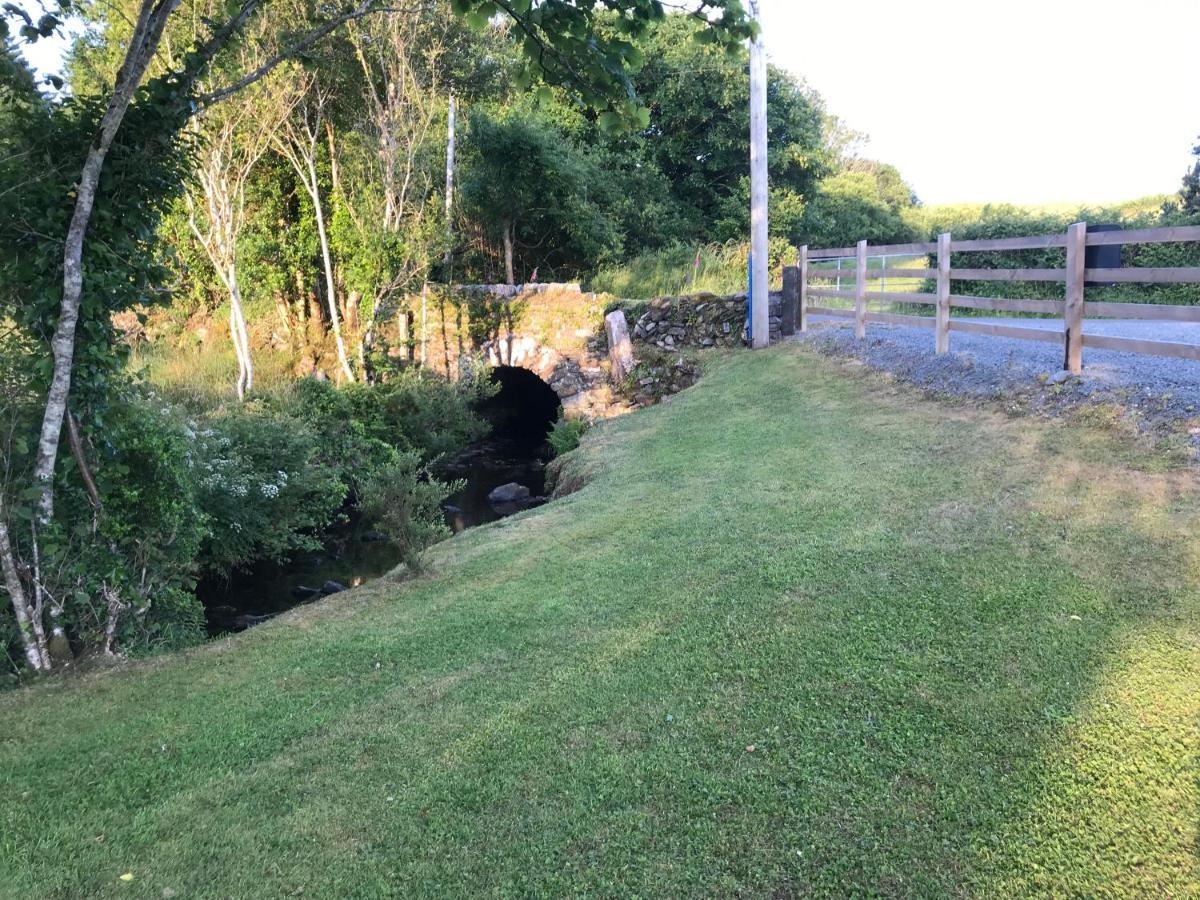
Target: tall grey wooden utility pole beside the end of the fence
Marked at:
760, 267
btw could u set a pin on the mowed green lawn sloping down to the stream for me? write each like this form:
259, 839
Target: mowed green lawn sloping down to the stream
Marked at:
803, 633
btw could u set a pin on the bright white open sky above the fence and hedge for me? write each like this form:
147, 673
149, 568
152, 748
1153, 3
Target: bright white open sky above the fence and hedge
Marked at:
1007, 101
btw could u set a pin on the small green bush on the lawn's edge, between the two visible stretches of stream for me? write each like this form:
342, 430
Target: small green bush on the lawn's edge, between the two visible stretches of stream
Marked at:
406, 501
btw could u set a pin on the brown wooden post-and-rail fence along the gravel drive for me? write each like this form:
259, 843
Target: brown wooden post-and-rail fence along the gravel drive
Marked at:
1075, 308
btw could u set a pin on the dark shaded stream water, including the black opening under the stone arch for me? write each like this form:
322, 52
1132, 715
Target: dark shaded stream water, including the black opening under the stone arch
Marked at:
515, 453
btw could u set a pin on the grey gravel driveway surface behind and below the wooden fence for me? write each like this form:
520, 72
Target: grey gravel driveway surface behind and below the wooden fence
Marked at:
1157, 395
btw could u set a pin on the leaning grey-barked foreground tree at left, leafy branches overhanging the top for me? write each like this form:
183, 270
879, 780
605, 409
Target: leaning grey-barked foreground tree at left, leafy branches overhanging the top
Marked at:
563, 43
